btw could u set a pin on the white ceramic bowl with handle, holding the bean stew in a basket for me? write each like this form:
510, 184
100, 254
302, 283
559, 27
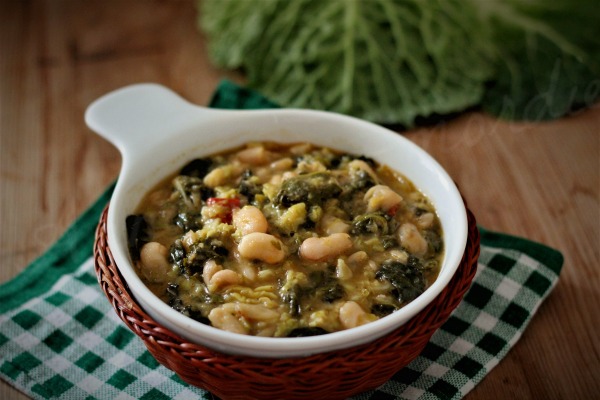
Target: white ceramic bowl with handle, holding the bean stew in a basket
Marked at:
157, 132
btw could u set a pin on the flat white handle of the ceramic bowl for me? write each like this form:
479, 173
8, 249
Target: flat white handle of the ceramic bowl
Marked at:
138, 114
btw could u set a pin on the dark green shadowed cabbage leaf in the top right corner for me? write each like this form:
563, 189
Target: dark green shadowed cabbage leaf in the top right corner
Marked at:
548, 57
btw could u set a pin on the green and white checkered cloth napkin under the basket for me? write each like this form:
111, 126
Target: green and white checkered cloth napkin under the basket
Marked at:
60, 338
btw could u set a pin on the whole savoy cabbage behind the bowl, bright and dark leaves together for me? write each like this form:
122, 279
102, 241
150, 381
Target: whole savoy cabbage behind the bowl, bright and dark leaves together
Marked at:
393, 61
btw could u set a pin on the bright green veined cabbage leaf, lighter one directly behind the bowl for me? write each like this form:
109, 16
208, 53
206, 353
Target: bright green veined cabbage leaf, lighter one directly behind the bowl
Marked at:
381, 60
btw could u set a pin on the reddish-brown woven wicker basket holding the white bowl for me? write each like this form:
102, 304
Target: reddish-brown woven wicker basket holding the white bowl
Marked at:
334, 375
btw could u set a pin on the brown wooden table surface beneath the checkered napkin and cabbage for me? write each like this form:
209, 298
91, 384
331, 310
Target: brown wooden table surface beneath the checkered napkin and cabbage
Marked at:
536, 180
